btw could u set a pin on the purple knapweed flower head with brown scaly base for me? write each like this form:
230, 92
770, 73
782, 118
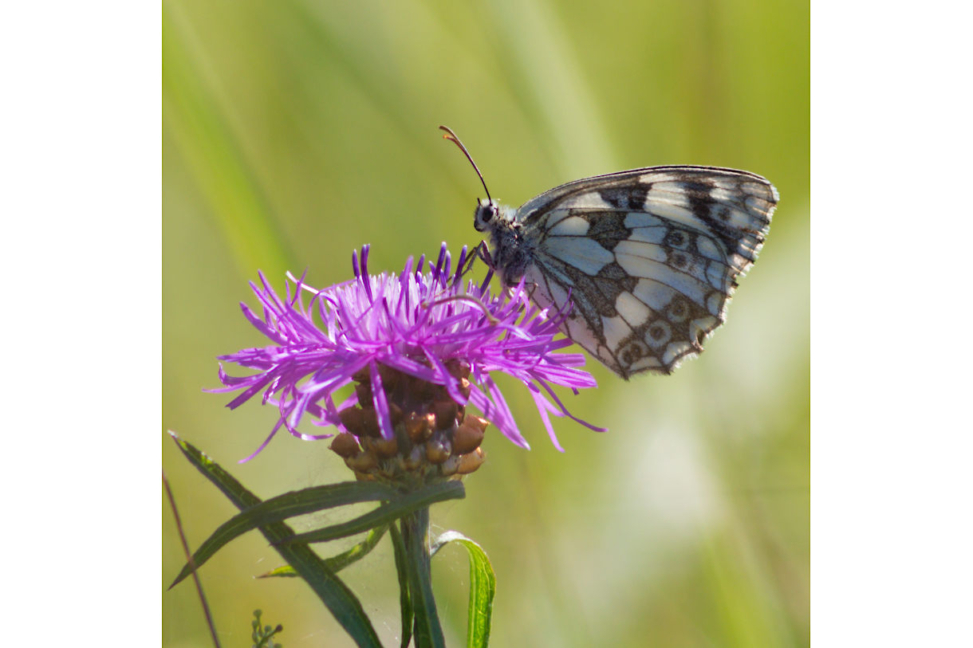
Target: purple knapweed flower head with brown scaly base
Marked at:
418, 348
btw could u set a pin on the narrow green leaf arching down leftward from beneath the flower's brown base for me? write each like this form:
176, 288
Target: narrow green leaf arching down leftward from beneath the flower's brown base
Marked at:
285, 506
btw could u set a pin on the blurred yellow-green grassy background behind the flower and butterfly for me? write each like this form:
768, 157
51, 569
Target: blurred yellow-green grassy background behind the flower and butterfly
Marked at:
295, 131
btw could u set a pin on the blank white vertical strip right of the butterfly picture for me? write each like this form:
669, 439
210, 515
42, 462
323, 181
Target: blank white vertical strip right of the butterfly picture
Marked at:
891, 447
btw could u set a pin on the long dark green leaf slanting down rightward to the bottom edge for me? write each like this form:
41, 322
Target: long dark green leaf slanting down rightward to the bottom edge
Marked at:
340, 600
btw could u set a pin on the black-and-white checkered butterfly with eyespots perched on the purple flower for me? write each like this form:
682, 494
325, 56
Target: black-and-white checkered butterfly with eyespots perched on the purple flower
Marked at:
644, 261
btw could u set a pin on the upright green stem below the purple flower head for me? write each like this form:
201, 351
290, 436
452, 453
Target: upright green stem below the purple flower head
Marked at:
415, 534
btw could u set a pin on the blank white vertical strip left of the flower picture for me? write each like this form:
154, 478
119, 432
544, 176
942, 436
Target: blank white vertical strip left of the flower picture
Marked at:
80, 124
